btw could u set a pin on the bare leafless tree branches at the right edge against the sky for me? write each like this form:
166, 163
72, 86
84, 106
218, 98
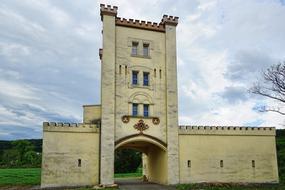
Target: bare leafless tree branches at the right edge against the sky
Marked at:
272, 86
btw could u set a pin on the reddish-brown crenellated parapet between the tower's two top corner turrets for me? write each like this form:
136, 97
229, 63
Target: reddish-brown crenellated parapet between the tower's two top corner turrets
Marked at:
147, 25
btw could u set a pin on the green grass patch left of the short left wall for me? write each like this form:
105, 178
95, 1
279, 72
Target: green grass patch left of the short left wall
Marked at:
23, 176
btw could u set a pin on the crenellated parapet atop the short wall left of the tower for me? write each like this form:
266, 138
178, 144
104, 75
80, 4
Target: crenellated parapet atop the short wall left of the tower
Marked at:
70, 127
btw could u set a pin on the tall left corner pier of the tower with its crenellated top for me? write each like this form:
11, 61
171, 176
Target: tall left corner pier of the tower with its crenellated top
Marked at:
108, 97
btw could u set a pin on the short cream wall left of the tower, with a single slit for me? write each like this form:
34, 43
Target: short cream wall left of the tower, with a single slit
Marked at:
70, 154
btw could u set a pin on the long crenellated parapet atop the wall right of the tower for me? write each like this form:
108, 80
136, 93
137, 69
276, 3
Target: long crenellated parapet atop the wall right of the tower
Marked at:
227, 130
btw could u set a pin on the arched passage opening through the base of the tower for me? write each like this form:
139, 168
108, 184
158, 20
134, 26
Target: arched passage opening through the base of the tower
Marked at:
153, 160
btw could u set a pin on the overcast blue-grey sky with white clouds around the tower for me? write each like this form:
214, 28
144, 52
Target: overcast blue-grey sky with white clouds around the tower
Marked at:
49, 64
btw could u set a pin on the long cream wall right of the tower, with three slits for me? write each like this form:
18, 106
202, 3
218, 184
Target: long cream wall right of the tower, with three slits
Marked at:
227, 154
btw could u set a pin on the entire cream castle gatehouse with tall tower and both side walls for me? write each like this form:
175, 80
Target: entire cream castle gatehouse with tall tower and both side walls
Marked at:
139, 110
